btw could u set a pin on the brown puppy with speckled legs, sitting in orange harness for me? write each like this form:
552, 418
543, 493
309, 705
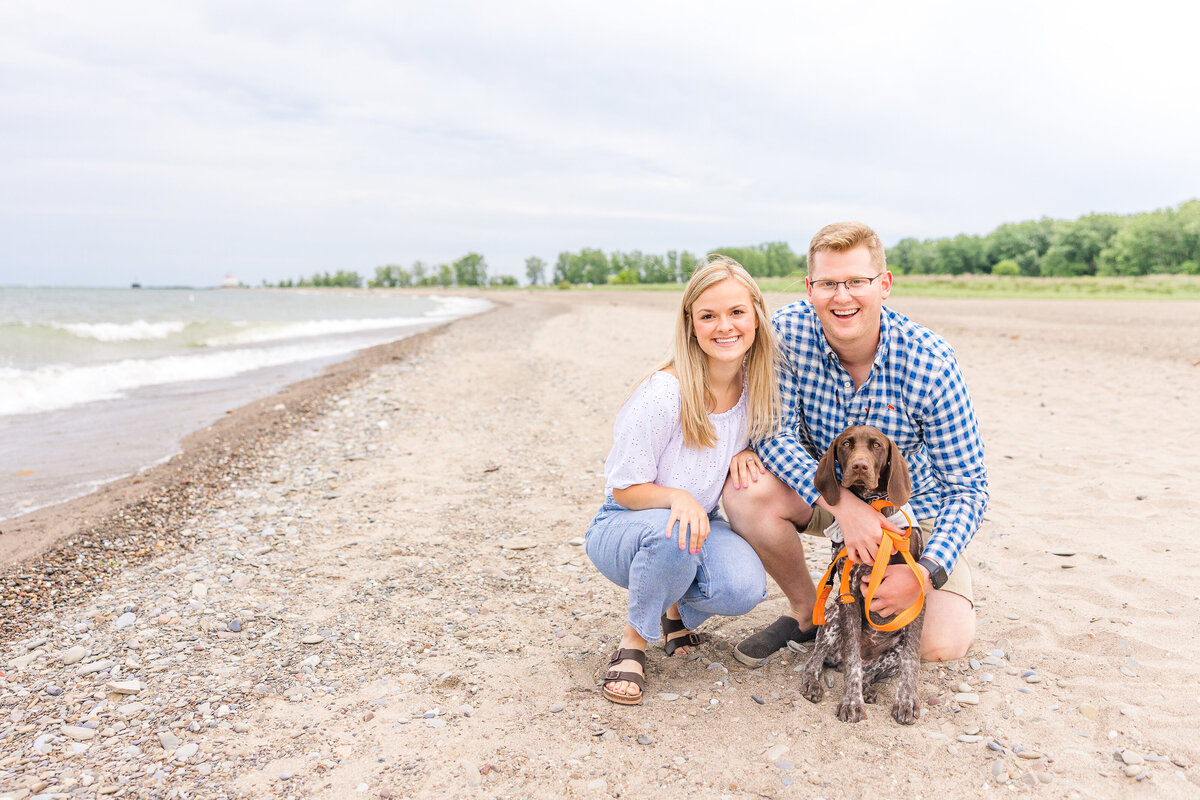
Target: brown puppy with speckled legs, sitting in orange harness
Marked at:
873, 468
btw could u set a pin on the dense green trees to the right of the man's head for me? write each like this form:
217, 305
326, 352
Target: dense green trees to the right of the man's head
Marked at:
1167, 240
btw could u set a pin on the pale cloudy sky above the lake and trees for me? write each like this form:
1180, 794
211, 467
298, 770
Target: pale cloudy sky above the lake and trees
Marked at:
173, 143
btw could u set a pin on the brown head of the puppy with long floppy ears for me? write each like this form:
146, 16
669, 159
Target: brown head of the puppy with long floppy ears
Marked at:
871, 465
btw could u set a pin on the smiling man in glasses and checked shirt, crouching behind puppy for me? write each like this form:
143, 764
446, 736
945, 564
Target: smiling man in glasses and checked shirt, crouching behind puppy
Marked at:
848, 360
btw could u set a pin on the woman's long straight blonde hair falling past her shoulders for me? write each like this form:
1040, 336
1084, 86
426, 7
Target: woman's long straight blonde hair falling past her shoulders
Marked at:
691, 363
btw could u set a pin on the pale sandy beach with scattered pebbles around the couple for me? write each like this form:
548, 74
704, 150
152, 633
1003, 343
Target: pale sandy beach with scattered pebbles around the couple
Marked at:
374, 586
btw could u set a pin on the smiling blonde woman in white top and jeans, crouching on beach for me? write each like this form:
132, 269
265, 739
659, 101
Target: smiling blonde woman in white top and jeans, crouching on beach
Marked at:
680, 435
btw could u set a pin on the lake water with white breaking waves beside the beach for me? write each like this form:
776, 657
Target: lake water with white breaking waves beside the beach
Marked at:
97, 384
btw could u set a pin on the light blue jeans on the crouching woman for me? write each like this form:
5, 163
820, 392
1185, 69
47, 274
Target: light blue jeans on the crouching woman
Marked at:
632, 550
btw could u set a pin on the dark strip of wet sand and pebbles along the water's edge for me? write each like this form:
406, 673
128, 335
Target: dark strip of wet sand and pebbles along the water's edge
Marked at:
137, 516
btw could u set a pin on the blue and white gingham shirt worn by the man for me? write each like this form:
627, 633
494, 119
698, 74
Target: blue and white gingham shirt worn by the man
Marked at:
915, 394
